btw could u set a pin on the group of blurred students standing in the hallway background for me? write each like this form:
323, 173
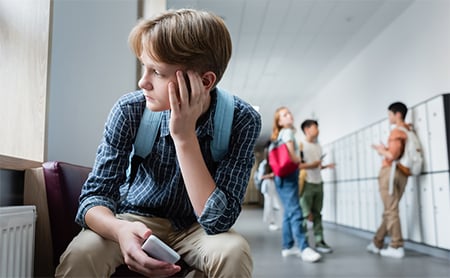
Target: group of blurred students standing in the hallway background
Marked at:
282, 192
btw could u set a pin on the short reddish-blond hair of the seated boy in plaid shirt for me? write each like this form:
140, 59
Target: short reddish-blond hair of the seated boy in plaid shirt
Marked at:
197, 40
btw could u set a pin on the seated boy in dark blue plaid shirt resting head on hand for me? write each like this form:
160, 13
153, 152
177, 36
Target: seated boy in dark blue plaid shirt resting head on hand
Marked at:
179, 193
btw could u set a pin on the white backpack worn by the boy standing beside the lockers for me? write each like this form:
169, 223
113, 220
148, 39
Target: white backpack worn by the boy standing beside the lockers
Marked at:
412, 157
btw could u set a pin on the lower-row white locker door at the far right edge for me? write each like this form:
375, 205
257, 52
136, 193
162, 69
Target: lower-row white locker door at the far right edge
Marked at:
442, 209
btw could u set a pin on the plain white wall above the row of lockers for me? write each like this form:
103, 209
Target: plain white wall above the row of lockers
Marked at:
409, 62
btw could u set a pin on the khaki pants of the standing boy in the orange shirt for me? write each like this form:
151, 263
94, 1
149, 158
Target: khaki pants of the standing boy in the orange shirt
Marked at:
391, 220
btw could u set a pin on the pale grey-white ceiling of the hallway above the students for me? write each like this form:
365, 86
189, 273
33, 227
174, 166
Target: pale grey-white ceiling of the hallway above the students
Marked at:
284, 51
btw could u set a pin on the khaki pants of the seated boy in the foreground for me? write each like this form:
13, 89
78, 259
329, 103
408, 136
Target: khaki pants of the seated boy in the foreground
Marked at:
222, 255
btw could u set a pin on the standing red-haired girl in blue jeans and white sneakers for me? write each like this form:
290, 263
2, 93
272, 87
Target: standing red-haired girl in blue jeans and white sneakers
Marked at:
287, 187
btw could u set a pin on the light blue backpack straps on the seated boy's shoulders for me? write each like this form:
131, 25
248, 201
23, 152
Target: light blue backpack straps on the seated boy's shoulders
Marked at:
150, 122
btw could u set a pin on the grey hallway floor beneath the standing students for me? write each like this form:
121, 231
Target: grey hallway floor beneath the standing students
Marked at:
349, 259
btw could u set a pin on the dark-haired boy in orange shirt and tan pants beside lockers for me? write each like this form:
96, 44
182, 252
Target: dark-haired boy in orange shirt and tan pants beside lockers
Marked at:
391, 219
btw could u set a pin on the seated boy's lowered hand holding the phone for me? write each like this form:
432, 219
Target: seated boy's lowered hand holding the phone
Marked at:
131, 237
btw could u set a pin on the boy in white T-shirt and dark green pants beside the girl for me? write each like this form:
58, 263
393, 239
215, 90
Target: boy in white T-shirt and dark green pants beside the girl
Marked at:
311, 199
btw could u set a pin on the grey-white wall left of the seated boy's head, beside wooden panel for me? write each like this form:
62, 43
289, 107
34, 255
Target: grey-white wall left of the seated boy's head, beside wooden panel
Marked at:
91, 66
